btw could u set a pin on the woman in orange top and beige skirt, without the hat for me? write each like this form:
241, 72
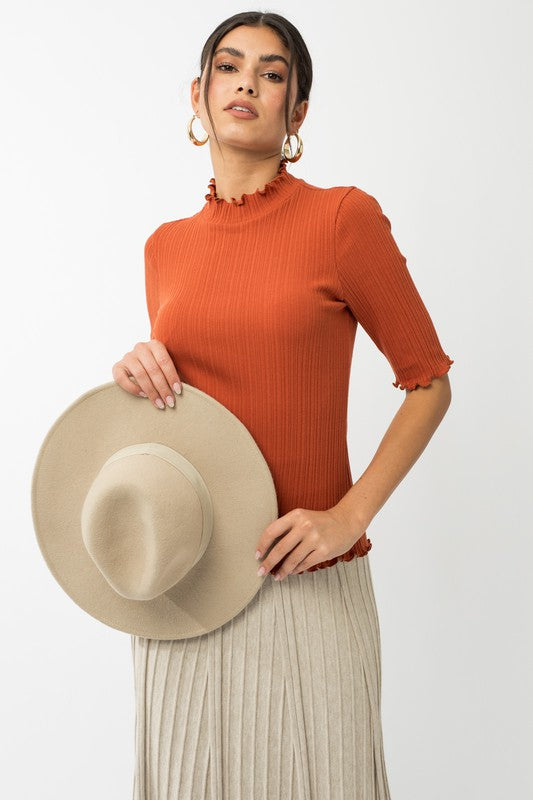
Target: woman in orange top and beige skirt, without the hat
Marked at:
255, 299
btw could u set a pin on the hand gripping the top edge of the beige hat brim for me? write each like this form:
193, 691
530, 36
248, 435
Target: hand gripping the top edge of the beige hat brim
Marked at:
151, 367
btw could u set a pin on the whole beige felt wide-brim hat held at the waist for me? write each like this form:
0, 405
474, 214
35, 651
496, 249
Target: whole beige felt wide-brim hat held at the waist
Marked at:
148, 518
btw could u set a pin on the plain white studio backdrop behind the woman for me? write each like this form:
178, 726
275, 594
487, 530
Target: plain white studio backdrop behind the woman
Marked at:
425, 105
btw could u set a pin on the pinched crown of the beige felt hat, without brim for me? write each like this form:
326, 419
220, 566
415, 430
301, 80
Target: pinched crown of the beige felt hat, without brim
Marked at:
146, 519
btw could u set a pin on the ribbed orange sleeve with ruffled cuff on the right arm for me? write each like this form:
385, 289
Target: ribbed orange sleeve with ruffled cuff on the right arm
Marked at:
376, 285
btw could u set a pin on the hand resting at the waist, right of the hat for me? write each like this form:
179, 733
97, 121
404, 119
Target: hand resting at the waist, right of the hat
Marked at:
307, 538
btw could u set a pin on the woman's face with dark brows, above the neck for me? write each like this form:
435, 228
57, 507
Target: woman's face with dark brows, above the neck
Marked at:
236, 77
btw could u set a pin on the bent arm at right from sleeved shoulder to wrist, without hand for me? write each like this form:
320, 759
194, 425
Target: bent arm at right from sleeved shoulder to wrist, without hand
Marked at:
378, 287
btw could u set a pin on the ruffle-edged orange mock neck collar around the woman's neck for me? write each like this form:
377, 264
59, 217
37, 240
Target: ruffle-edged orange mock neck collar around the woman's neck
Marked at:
254, 204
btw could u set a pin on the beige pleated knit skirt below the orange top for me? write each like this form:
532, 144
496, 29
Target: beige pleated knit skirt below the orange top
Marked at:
280, 703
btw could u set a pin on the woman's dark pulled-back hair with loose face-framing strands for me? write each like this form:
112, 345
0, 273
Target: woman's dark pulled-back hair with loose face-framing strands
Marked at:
288, 34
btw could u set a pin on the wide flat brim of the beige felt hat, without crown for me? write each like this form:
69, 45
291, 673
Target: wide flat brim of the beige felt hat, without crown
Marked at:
222, 449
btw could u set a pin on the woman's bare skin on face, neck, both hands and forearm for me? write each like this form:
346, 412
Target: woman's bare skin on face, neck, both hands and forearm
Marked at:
248, 157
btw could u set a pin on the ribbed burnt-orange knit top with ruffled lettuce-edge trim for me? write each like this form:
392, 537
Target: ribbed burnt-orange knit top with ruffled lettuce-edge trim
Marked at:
257, 301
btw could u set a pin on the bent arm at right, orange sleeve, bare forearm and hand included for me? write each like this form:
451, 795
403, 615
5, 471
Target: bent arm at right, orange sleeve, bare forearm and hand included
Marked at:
375, 284
